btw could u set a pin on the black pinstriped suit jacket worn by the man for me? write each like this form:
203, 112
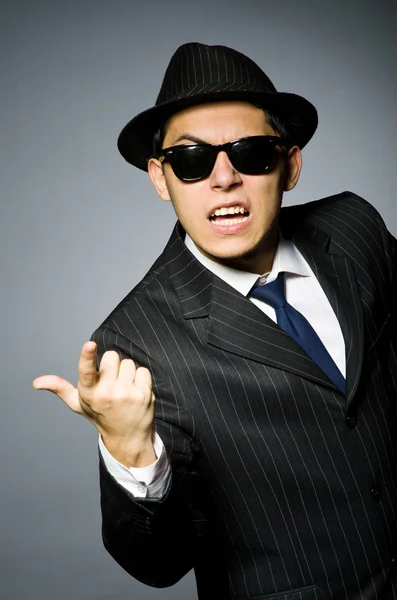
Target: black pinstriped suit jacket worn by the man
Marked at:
282, 487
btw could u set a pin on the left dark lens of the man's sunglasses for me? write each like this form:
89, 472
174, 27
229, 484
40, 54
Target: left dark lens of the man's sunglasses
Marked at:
192, 163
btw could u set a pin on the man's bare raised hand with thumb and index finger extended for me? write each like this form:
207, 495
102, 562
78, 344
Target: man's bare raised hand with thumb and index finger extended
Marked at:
117, 399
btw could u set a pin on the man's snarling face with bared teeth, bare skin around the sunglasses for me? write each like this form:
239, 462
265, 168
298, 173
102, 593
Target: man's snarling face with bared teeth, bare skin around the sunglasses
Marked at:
247, 238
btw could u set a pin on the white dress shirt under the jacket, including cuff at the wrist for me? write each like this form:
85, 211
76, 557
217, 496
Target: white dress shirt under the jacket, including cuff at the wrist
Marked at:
302, 291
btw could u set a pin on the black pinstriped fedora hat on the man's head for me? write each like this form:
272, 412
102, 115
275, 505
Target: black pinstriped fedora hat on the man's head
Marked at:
198, 73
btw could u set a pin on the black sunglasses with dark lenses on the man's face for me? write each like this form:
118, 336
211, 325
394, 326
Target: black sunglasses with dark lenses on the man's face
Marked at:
253, 155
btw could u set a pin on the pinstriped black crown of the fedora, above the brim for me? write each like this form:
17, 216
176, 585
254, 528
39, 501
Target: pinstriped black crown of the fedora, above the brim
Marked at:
197, 69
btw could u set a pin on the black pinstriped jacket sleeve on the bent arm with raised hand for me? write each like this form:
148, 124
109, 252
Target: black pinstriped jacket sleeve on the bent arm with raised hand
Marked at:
157, 541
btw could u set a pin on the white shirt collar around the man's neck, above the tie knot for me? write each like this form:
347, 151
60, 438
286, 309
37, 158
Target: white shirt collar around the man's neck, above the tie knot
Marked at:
286, 259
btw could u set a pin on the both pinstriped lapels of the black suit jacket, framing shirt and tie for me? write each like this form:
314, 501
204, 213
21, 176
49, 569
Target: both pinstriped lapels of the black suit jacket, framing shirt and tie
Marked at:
237, 326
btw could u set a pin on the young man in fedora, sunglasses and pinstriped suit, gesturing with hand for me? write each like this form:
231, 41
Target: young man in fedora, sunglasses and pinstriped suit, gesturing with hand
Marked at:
246, 393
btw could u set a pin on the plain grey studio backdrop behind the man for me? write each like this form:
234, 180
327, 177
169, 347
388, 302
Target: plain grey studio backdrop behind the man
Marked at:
80, 227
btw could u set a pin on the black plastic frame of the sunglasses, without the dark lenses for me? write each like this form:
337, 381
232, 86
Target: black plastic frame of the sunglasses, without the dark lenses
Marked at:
169, 154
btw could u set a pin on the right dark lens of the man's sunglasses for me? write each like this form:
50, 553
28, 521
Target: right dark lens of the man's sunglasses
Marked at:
254, 156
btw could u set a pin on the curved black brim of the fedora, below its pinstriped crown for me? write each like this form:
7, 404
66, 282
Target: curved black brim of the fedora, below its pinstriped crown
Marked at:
299, 116
